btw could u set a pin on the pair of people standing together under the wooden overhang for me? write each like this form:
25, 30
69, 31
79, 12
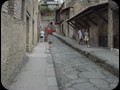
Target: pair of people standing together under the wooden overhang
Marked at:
83, 37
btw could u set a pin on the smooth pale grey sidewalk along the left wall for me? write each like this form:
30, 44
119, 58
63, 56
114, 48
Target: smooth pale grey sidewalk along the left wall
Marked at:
38, 73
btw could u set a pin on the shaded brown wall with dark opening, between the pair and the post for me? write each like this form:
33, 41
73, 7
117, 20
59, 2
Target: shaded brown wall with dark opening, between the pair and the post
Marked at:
99, 33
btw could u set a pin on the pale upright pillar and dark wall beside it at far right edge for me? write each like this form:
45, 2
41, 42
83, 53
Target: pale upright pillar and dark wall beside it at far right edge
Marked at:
113, 25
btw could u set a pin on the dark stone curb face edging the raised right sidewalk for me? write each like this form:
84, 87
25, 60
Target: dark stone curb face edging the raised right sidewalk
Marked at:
108, 66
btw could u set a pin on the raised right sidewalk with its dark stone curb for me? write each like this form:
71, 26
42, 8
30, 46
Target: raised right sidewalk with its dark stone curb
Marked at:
105, 58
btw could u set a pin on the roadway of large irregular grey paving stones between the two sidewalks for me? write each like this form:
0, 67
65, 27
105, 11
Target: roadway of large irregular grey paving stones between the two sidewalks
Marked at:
76, 72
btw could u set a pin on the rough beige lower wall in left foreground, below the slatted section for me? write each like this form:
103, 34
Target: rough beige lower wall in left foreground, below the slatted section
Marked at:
13, 47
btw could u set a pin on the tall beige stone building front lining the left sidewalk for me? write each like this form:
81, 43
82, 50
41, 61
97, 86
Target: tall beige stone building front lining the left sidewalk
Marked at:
19, 34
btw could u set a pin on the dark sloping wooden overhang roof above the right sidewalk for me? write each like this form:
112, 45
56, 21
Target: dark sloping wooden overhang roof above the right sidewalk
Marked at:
82, 18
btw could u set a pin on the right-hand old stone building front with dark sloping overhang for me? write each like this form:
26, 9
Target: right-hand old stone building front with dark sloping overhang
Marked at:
100, 17
